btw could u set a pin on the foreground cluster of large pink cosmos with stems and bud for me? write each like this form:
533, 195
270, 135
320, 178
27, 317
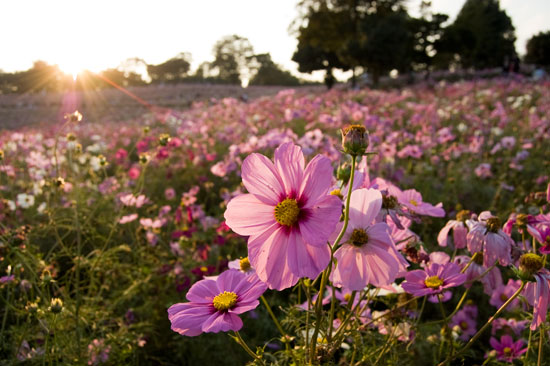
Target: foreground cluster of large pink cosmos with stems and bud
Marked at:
299, 226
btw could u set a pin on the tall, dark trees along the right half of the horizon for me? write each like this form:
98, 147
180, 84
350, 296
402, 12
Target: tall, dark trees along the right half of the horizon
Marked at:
378, 36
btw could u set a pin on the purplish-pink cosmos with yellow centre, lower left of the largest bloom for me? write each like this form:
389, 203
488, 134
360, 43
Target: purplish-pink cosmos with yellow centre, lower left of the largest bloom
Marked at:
215, 304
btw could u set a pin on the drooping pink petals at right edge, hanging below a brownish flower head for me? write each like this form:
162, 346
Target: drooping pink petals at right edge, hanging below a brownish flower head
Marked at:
538, 294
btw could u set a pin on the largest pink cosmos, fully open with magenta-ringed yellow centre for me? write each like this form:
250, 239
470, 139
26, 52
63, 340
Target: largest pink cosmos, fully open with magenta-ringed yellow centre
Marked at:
288, 215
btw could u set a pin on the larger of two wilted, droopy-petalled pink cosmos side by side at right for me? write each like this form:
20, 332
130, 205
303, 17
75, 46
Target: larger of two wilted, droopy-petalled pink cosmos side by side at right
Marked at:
487, 235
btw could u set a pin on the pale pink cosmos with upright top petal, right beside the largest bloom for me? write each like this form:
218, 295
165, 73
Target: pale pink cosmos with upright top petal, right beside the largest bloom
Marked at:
368, 254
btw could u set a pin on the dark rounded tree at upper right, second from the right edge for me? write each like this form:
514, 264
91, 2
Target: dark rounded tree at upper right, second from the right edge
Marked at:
482, 36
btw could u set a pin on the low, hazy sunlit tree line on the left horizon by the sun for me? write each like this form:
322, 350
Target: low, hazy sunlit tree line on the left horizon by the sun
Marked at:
235, 62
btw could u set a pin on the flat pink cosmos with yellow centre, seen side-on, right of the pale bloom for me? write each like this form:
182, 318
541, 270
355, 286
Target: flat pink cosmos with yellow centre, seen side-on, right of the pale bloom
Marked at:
433, 280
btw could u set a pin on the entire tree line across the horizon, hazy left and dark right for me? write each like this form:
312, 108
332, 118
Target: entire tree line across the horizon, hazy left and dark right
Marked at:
371, 37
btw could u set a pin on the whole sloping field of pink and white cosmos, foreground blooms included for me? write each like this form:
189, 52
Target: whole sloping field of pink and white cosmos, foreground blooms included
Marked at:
420, 217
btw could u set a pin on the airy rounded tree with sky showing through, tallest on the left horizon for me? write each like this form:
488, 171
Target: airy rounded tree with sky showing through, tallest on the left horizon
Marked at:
232, 59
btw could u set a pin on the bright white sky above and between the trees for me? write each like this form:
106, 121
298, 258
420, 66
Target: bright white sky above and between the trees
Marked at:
100, 34
